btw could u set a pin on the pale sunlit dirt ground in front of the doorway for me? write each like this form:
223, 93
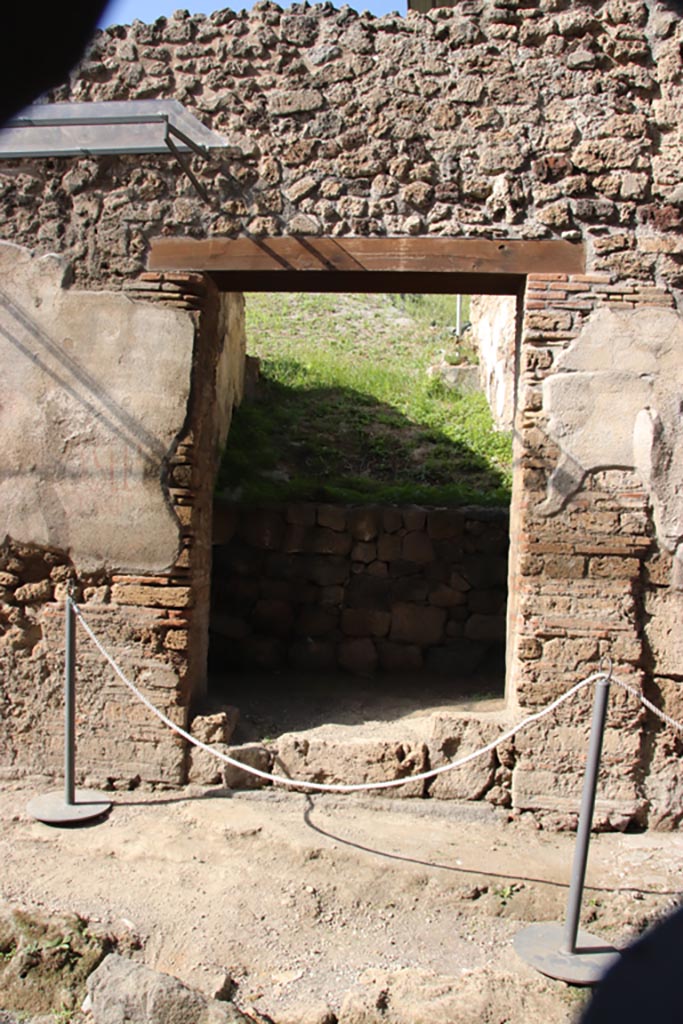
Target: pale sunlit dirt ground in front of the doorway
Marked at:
305, 901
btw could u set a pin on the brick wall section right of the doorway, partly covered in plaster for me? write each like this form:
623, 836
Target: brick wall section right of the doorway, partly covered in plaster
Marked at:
587, 560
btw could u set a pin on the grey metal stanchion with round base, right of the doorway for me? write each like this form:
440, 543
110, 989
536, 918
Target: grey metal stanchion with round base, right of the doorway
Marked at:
566, 952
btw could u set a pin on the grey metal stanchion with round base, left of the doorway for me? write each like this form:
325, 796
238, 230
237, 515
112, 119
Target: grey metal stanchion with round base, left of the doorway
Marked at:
73, 806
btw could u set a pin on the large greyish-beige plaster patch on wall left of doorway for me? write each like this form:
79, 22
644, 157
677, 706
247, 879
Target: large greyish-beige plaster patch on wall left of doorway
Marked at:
94, 394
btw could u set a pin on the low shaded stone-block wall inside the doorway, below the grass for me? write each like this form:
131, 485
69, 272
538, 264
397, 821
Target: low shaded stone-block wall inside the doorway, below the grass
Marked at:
365, 590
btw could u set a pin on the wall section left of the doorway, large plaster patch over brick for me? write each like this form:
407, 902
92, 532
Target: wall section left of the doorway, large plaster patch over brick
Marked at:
87, 434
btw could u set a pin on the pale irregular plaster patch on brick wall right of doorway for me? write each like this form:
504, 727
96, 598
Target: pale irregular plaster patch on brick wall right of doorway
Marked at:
616, 402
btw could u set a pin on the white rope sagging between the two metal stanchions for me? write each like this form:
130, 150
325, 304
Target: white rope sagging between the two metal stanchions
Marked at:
366, 787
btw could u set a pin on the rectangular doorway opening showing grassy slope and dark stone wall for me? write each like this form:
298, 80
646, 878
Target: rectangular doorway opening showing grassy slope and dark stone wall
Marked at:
362, 527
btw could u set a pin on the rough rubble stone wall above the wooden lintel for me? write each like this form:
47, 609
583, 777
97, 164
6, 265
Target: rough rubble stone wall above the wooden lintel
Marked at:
532, 119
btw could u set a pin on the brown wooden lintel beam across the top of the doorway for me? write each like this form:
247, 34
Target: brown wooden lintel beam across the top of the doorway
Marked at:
357, 255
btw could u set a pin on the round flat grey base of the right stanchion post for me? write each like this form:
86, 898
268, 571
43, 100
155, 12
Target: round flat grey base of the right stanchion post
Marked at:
541, 946
